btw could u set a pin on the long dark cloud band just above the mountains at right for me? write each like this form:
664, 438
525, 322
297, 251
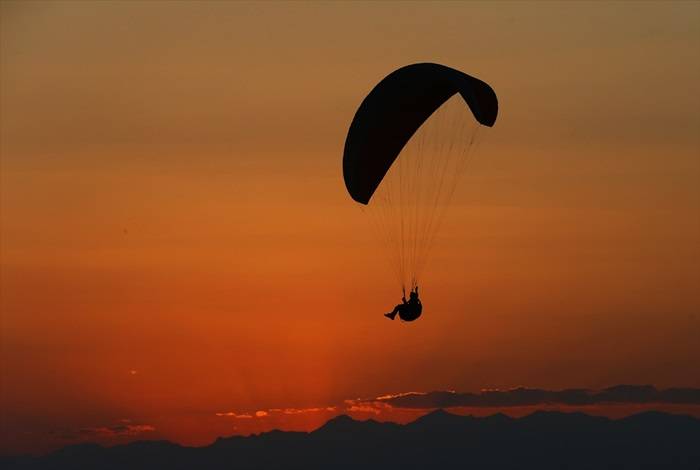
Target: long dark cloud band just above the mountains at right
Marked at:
521, 396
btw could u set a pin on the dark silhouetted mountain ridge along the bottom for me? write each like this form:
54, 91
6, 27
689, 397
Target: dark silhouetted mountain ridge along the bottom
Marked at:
542, 440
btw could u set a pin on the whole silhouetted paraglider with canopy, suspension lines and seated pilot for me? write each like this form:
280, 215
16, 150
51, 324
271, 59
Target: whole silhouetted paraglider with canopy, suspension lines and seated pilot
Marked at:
406, 147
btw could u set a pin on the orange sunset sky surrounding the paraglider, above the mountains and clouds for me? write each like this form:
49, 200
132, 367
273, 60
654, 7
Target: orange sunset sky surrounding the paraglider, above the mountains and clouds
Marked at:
177, 241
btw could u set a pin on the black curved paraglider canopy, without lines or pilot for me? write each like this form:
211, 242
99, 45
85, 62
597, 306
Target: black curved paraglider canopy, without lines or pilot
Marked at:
395, 109
